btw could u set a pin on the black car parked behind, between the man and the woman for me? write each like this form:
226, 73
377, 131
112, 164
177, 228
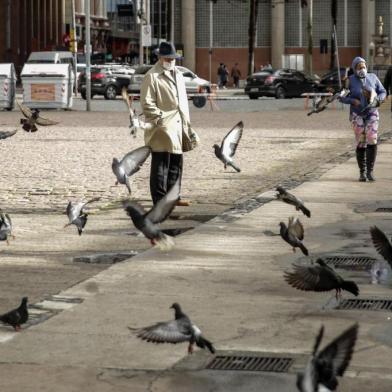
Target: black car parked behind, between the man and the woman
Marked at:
281, 83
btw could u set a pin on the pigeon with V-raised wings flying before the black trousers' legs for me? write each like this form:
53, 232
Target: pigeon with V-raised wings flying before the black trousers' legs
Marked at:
146, 222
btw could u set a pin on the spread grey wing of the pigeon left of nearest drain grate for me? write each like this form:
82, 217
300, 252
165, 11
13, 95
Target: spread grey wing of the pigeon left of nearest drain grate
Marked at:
164, 332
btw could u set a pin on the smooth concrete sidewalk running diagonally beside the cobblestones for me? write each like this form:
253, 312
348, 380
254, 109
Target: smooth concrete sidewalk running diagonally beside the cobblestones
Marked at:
228, 276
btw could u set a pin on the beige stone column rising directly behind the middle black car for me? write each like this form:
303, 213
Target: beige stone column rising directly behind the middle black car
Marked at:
277, 33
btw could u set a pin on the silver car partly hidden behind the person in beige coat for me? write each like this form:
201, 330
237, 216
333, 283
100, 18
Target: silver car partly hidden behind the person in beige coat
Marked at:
192, 82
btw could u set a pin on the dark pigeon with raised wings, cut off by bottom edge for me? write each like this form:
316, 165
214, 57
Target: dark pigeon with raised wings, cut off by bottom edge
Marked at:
323, 367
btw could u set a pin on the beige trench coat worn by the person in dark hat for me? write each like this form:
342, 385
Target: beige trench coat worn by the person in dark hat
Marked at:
165, 104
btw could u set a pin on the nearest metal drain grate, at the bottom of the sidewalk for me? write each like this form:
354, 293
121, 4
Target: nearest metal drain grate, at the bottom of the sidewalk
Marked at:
251, 363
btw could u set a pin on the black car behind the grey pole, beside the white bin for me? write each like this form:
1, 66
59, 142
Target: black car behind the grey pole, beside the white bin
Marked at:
103, 82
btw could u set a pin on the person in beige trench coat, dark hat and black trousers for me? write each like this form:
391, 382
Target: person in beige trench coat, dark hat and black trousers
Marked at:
165, 104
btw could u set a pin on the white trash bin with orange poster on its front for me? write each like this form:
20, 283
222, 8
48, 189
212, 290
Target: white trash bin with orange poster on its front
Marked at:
47, 86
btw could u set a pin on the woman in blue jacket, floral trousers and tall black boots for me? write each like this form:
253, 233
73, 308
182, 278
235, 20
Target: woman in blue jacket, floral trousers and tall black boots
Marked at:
365, 121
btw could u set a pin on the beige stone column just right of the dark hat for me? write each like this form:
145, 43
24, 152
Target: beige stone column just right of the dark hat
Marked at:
188, 32
